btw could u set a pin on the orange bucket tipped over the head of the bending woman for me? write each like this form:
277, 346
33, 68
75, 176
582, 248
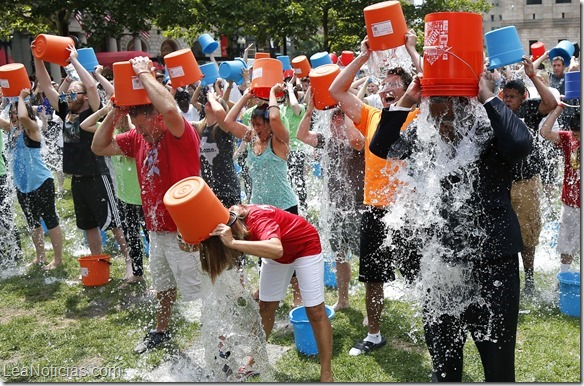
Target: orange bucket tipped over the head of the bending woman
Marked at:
195, 209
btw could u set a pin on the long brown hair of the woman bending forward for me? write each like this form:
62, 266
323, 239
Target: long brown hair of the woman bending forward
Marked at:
216, 257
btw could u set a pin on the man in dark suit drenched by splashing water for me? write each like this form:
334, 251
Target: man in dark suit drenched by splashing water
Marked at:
460, 152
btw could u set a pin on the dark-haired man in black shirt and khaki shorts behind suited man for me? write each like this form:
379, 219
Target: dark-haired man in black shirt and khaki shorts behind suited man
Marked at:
526, 188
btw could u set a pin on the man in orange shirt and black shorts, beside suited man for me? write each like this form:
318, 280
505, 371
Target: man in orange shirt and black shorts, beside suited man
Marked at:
377, 263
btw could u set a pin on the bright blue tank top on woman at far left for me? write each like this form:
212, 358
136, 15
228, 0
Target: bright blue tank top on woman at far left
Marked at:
29, 169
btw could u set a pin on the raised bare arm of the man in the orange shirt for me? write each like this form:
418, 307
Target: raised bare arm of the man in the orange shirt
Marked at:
340, 88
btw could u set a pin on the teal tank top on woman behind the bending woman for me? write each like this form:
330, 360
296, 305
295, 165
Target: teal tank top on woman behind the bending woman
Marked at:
269, 178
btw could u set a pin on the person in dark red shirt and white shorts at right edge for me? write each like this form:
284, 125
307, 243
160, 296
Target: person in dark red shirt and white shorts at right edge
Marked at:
569, 142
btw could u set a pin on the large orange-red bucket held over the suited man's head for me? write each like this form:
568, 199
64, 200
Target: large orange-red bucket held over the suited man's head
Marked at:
453, 54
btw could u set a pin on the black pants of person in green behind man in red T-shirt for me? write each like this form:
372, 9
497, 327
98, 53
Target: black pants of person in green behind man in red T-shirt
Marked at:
132, 217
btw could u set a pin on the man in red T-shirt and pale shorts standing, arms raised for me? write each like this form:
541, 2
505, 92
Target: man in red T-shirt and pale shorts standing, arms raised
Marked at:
166, 150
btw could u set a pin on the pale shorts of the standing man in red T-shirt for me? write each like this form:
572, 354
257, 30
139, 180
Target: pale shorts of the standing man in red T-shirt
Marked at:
171, 268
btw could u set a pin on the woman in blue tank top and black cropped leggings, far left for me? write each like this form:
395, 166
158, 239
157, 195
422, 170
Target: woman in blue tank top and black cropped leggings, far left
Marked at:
35, 188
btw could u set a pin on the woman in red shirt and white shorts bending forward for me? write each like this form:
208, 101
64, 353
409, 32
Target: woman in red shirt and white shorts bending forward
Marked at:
286, 243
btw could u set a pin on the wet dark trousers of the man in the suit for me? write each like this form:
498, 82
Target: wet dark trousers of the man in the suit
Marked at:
493, 325
